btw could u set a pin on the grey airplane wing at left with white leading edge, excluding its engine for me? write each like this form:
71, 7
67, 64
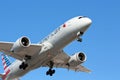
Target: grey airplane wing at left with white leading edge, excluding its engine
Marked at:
5, 47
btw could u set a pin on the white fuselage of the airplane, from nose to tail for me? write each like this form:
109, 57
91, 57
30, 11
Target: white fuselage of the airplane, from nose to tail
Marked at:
56, 41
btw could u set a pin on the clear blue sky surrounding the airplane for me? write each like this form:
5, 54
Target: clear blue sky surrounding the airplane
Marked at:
37, 18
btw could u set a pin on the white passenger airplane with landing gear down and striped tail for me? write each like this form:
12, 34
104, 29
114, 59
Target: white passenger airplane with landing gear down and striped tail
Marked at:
48, 53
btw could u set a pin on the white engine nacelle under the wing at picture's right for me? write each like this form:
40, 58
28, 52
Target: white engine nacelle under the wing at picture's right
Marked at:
77, 59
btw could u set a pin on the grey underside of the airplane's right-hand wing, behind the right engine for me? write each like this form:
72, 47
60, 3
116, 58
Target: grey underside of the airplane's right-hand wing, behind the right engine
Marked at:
61, 60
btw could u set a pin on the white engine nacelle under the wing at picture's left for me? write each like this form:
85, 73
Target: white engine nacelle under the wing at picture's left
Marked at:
20, 44
